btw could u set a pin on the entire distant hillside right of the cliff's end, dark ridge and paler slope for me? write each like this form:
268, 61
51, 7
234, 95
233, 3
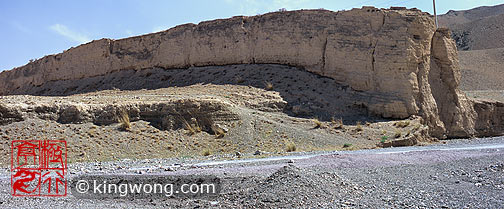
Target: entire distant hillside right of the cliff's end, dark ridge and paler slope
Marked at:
478, 33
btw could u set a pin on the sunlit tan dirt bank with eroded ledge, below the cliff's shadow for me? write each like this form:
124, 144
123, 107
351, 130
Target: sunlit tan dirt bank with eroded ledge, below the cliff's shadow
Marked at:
190, 121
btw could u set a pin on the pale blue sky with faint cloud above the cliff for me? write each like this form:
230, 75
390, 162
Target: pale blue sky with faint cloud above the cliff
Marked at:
33, 29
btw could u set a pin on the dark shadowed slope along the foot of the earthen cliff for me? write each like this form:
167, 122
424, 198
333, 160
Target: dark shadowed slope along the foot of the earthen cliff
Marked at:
308, 95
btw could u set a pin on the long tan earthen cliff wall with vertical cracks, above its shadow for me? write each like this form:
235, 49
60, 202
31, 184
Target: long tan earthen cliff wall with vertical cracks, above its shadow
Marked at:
395, 57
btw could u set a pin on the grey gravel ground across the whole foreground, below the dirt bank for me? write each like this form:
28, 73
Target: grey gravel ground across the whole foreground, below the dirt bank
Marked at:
460, 173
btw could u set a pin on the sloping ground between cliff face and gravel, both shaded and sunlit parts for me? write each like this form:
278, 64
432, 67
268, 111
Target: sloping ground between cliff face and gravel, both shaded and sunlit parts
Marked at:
297, 113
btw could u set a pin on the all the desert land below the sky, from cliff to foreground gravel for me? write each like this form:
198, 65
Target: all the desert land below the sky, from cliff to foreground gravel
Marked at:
318, 116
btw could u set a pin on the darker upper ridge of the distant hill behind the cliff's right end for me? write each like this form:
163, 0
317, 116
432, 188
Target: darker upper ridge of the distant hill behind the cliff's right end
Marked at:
478, 28
